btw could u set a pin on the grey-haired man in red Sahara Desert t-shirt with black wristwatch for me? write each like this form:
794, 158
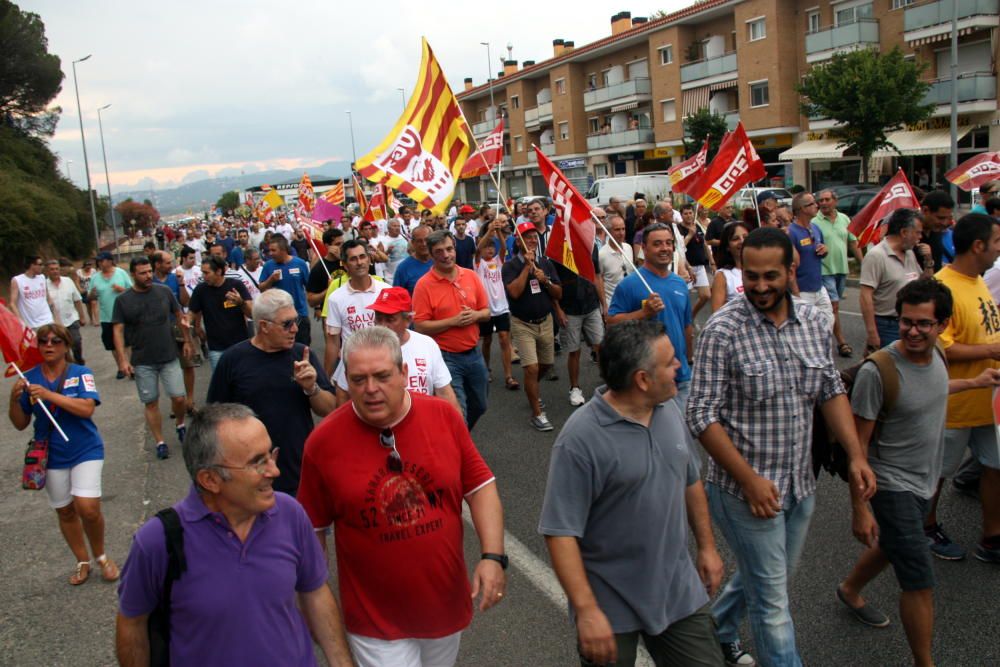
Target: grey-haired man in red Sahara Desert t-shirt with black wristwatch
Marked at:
390, 471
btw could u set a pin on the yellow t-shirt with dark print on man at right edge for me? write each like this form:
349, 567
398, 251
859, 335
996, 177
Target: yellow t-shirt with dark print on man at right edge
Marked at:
975, 320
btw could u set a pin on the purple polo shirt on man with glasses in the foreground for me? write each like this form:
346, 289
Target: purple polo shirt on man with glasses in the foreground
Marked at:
236, 602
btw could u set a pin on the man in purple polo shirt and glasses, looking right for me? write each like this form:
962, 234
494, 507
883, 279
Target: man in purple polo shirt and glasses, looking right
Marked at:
250, 552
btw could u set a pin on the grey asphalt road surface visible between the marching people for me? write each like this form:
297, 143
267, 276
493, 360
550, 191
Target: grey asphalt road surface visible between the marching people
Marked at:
45, 621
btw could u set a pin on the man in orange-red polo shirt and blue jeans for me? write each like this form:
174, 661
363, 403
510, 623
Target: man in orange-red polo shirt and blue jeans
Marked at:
449, 302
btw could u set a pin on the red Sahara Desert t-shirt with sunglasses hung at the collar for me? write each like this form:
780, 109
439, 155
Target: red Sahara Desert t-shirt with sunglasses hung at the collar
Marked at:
398, 536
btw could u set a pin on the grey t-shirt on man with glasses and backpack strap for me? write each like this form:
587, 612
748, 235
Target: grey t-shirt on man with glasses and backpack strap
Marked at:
907, 454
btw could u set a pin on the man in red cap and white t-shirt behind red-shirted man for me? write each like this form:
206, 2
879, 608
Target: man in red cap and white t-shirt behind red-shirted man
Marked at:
426, 372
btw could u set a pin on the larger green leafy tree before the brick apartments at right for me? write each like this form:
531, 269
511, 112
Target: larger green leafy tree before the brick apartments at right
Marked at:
869, 95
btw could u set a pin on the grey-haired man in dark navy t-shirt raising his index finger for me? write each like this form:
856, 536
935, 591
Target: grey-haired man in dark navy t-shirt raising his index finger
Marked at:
281, 380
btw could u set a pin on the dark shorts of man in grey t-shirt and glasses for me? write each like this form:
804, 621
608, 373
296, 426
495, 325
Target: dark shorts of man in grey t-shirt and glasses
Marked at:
900, 516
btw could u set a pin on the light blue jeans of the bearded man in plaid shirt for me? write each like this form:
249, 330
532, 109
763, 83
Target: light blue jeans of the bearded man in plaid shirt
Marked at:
767, 552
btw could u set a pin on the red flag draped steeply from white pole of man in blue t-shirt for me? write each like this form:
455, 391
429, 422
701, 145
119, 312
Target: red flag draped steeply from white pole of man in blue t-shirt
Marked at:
571, 241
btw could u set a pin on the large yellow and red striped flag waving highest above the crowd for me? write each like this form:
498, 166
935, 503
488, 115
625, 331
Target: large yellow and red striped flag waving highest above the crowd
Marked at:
424, 153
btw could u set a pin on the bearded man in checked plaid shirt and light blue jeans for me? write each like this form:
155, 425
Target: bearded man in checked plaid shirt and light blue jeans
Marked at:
761, 365
